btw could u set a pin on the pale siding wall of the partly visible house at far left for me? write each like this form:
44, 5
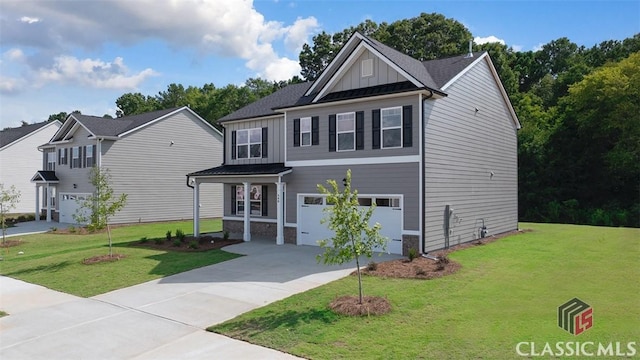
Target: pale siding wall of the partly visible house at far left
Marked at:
20, 161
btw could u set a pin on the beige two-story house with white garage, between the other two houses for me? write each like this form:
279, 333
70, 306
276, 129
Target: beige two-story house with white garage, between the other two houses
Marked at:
147, 156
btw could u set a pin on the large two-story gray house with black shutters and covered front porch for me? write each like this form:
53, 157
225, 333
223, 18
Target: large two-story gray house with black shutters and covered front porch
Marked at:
433, 144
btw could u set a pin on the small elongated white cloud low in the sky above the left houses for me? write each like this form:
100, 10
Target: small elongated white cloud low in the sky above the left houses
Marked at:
91, 73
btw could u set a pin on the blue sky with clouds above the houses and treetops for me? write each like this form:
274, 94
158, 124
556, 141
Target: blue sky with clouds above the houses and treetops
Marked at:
65, 55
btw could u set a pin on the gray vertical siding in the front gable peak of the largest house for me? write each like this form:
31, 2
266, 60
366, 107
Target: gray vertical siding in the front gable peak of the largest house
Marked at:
382, 74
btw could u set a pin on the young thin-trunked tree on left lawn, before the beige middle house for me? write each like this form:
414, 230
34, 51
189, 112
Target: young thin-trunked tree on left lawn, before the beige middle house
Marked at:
97, 209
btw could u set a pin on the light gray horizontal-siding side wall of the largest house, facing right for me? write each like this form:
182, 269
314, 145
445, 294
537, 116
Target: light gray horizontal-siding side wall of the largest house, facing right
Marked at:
462, 148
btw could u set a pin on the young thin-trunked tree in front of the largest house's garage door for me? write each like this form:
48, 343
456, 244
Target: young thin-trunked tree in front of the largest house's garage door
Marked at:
350, 222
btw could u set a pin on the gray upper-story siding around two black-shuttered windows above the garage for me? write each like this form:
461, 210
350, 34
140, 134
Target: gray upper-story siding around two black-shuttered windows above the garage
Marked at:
321, 151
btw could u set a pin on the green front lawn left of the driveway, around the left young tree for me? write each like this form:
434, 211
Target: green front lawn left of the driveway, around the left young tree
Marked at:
55, 260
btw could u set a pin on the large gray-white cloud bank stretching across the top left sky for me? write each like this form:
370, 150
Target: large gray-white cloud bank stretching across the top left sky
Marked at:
227, 28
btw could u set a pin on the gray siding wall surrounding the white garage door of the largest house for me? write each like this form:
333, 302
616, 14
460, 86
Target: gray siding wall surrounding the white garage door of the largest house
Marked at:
386, 179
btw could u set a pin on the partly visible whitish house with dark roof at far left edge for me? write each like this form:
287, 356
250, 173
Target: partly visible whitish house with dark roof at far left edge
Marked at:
20, 158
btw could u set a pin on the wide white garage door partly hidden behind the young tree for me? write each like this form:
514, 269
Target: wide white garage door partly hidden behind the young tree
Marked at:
388, 213
